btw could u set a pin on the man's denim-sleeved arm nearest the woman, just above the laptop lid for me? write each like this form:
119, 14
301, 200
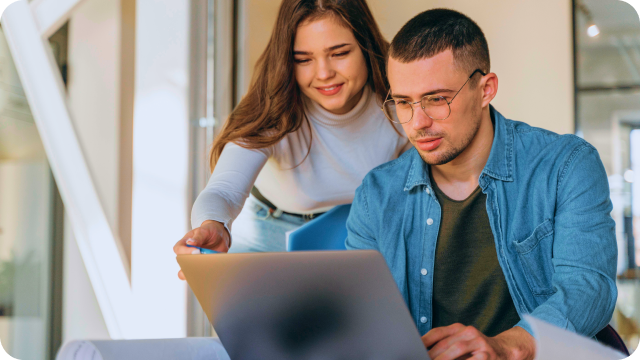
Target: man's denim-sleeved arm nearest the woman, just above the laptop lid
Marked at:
359, 230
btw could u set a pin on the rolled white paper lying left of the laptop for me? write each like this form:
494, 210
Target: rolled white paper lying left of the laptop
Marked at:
162, 349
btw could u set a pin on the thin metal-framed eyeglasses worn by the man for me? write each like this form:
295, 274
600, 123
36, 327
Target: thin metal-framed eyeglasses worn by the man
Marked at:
434, 106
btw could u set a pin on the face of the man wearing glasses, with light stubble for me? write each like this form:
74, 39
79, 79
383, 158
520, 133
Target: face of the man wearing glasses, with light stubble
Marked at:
437, 141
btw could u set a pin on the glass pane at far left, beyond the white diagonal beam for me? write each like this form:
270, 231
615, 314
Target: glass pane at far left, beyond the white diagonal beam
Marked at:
26, 187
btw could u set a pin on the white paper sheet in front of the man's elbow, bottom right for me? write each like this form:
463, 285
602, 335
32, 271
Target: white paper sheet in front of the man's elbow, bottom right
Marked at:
554, 343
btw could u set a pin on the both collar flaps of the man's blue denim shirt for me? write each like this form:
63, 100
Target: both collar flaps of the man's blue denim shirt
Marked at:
499, 165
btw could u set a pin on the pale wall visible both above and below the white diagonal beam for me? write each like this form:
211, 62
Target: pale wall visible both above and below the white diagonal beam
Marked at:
93, 89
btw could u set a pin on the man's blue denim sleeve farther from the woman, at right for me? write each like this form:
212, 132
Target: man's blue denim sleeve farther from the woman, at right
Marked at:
584, 249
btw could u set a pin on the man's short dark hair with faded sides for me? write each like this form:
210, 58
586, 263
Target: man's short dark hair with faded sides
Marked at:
434, 31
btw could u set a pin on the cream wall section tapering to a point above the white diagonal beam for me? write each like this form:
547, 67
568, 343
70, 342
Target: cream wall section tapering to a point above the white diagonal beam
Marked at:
93, 87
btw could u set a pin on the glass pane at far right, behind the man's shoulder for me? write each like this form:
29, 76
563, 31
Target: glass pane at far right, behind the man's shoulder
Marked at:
608, 116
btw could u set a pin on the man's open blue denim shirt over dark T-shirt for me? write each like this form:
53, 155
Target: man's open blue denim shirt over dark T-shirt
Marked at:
549, 209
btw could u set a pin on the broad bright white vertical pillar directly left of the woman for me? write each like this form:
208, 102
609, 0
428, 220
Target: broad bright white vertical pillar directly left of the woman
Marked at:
160, 164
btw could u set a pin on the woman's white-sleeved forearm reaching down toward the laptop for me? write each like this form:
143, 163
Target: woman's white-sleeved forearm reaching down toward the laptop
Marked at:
229, 185
